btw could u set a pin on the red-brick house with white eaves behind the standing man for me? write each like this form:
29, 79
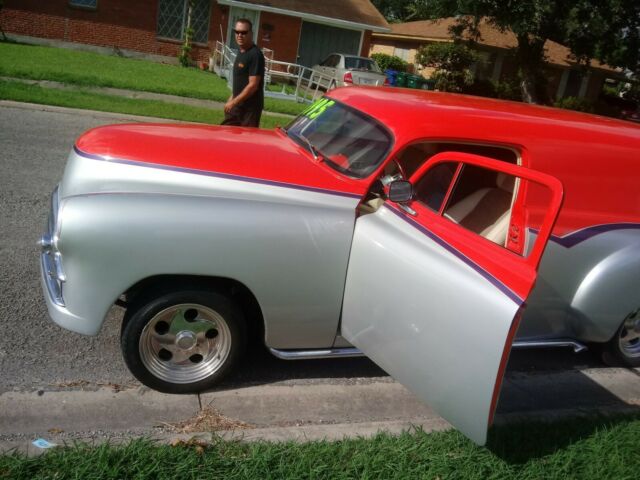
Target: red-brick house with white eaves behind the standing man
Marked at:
298, 31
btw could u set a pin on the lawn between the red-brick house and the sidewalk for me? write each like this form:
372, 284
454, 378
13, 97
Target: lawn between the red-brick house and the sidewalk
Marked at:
96, 70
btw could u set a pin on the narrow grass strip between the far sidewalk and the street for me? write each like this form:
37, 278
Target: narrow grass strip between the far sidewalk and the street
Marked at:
21, 92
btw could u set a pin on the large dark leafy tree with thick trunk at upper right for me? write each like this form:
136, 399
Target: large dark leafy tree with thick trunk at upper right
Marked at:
588, 27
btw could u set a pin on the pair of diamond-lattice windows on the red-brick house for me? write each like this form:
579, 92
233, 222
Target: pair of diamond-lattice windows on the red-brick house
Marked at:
173, 15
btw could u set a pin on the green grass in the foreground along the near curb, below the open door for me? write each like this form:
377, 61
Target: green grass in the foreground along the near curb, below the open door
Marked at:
573, 449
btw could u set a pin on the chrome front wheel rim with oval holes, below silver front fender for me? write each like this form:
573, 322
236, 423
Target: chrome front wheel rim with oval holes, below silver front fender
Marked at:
185, 343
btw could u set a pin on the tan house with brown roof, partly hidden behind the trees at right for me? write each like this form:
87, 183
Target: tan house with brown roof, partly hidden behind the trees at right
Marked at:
566, 78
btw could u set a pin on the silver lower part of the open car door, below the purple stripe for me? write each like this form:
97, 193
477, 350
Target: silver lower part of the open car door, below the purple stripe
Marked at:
410, 305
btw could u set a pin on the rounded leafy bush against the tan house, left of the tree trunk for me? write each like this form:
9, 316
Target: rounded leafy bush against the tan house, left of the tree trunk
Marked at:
452, 63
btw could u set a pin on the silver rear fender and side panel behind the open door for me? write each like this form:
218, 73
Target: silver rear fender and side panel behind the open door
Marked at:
588, 282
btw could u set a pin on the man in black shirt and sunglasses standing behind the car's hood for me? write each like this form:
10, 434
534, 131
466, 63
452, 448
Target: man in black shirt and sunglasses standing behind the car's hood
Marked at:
244, 107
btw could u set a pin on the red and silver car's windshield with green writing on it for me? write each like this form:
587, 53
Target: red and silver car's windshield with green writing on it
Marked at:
346, 139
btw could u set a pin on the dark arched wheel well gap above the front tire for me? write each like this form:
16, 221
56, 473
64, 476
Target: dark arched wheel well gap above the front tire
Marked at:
155, 286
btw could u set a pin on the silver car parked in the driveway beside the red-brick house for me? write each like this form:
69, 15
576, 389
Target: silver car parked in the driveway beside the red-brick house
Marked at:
348, 70
